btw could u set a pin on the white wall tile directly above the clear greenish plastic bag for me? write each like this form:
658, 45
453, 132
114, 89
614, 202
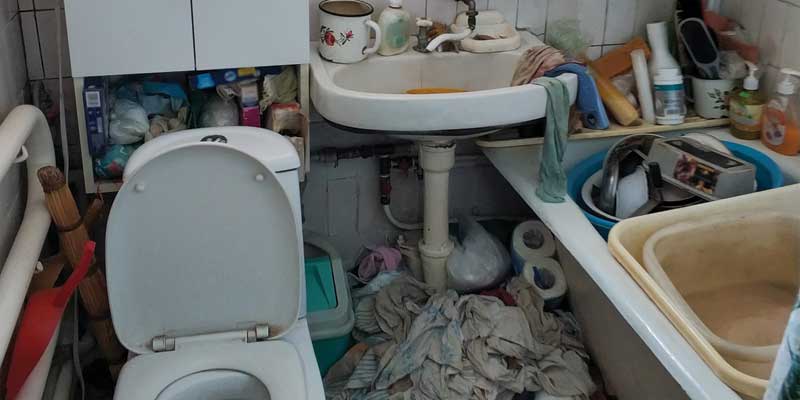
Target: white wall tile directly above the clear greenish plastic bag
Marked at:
591, 15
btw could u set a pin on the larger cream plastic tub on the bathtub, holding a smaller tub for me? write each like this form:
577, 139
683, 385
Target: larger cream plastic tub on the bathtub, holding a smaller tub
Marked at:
627, 243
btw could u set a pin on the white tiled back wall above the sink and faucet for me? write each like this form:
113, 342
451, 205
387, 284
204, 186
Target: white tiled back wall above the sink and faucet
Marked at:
606, 23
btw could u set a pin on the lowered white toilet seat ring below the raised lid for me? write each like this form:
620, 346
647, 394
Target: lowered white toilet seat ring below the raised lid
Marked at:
276, 364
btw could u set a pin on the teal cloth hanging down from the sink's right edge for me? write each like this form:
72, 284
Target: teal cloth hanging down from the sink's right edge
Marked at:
552, 178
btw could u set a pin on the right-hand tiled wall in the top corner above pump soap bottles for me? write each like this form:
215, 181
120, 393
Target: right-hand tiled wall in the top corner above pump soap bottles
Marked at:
775, 26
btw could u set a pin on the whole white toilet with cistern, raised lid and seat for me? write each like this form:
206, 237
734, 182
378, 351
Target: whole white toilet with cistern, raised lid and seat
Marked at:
204, 259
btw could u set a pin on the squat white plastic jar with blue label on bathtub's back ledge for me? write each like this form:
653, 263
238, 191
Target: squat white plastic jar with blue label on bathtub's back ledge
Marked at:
669, 97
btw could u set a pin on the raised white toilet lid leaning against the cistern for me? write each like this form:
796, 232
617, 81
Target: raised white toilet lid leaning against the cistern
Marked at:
202, 239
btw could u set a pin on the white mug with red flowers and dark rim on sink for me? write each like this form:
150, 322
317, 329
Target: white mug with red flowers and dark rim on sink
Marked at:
344, 31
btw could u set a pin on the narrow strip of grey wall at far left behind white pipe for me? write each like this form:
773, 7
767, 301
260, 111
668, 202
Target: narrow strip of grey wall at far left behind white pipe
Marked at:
12, 92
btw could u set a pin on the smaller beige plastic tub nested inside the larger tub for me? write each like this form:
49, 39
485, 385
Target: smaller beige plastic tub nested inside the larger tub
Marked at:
735, 277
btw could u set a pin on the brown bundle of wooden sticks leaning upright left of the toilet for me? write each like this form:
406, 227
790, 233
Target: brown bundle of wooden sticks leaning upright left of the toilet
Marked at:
72, 235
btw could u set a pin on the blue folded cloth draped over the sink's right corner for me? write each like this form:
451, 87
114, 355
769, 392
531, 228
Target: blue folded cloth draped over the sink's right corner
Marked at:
593, 113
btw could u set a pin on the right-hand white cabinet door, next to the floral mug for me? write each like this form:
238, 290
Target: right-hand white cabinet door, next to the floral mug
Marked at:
250, 33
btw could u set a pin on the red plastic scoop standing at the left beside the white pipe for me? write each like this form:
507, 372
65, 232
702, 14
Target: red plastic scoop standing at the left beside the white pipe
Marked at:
39, 322
